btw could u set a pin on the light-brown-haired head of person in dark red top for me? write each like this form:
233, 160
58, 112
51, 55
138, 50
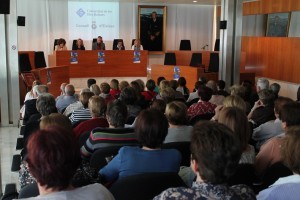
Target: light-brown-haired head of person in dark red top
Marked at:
97, 106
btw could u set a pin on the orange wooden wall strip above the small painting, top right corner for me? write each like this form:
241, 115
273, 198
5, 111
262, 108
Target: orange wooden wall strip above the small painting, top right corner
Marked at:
270, 6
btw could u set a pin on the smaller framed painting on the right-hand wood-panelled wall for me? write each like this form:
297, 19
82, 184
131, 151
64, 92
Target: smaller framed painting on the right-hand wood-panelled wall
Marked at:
278, 25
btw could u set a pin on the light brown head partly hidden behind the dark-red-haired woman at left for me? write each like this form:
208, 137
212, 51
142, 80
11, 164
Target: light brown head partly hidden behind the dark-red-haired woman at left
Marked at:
56, 119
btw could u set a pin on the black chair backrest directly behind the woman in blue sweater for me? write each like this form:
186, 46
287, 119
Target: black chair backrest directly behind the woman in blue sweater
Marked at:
144, 186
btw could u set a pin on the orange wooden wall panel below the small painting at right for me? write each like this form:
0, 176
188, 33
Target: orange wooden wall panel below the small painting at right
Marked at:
276, 58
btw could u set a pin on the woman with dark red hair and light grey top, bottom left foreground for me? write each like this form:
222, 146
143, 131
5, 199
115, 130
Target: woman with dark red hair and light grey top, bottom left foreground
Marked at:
53, 157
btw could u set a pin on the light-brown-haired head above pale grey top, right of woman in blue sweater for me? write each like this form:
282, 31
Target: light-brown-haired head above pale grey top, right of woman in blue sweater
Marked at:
176, 113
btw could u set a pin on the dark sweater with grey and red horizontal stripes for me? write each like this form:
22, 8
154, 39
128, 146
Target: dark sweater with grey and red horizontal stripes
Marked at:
105, 137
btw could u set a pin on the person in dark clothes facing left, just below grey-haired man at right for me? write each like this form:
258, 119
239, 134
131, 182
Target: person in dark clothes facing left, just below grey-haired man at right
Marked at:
263, 109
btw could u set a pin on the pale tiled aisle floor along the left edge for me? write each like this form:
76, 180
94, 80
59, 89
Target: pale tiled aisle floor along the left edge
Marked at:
8, 138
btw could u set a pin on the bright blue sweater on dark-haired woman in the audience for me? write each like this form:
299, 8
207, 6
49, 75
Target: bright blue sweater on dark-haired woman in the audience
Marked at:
134, 160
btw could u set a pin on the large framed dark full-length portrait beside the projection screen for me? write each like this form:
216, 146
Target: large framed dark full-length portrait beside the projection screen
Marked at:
152, 27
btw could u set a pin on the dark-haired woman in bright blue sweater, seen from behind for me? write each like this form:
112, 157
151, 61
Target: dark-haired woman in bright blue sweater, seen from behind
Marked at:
151, 129
